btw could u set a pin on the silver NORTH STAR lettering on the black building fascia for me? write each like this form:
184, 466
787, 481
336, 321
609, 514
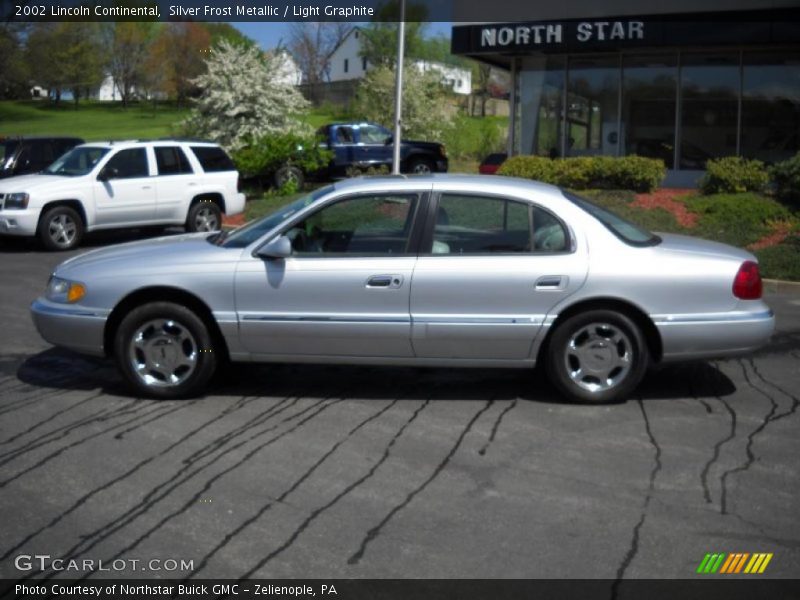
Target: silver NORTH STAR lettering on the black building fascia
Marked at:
548, 34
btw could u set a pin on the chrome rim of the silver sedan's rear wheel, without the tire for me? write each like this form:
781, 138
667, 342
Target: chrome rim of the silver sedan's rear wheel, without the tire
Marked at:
598, 357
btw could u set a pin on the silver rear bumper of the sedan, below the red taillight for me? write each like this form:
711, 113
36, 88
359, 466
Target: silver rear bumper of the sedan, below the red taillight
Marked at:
714, 335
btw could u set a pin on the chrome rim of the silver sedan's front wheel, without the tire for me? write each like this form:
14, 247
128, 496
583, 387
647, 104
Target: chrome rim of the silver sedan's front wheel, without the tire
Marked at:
163, 353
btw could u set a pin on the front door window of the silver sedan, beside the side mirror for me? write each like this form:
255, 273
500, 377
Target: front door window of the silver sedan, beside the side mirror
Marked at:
373, 225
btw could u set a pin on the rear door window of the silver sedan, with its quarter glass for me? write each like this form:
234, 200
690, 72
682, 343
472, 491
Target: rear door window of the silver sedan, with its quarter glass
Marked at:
486, 225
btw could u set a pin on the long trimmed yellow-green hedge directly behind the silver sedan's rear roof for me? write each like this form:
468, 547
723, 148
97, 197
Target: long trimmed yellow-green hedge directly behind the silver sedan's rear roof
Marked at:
629, 172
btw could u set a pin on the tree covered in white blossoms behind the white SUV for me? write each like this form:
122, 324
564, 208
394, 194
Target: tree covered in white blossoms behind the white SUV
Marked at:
243, 97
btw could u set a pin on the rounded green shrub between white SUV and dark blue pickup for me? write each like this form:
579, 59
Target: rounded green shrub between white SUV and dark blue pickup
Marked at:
260, 158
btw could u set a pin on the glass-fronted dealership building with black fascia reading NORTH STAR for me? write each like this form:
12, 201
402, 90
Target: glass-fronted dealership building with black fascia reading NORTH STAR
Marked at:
680, 80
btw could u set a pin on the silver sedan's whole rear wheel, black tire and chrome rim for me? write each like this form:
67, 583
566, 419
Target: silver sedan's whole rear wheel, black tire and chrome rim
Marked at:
597, 357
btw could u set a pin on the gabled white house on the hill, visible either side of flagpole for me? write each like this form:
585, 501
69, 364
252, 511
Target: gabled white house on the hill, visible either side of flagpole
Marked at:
347, 63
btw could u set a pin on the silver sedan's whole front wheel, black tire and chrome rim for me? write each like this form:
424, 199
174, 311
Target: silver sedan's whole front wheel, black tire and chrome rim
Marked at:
165, 351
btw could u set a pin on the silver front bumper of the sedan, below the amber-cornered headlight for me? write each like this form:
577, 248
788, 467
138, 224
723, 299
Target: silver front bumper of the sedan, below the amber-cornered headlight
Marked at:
74, 327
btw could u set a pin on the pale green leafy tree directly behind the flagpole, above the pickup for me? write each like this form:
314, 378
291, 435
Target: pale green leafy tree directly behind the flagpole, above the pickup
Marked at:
425, 114
